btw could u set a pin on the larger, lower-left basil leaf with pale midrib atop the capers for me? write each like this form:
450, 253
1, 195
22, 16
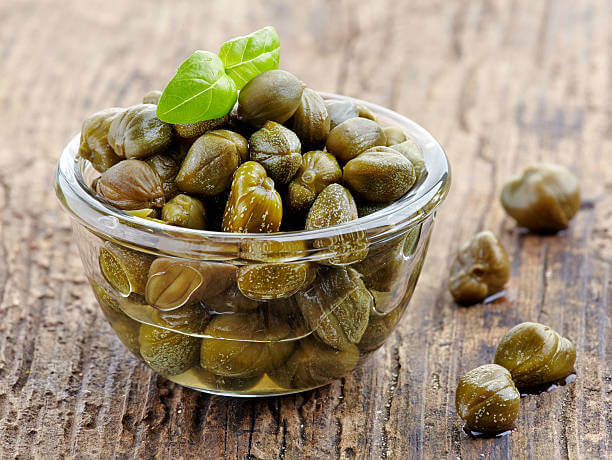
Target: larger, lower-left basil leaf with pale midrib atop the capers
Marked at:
200, 90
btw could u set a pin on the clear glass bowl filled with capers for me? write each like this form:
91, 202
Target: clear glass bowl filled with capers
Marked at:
255, 314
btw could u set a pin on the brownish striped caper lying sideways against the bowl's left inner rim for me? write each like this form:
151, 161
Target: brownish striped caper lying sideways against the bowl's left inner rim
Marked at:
131, 184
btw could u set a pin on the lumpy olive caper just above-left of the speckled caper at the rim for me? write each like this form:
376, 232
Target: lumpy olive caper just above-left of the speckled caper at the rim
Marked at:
317, 170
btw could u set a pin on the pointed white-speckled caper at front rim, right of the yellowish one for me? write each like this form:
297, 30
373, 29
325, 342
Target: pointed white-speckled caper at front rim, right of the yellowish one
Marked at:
335, 205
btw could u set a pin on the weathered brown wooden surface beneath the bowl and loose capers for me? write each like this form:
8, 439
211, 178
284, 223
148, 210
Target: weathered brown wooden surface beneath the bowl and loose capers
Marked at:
501, 84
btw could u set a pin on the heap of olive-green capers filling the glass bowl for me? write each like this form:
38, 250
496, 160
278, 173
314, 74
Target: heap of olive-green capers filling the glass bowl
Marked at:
283, 159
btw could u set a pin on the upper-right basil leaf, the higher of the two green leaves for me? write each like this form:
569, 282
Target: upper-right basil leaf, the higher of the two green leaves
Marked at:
248, 56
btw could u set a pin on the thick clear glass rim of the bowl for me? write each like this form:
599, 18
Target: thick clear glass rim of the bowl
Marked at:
159, 238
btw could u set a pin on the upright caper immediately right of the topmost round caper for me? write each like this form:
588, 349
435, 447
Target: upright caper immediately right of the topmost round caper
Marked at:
311, 120
